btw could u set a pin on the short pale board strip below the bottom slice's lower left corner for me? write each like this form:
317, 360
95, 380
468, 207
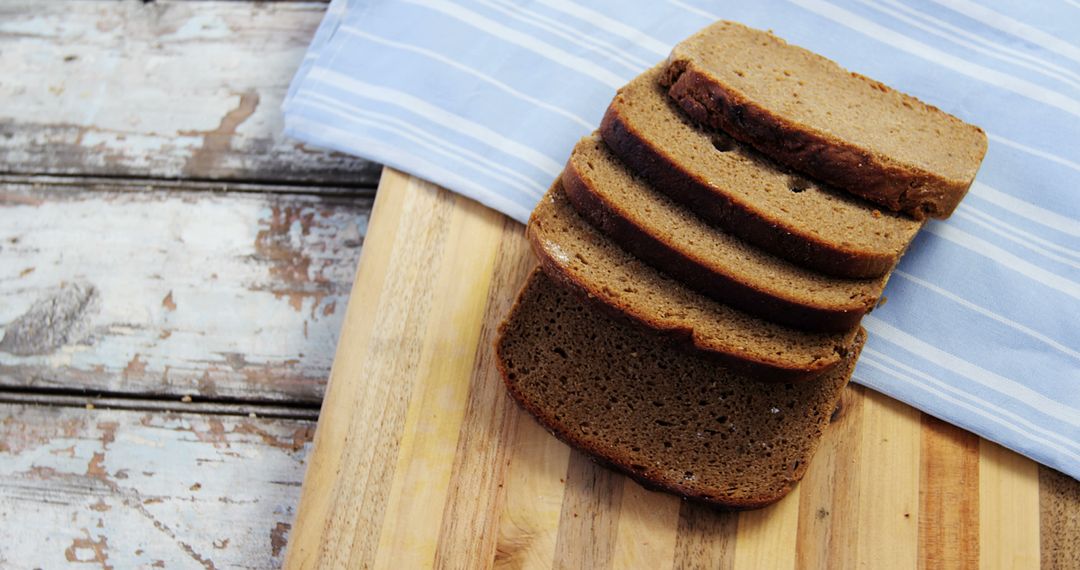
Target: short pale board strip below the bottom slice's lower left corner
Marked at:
535, 488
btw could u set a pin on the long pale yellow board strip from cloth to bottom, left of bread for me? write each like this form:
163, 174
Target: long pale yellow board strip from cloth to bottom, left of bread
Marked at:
422, 480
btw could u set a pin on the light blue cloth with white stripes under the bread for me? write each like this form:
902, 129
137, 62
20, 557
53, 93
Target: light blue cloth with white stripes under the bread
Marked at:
488, 98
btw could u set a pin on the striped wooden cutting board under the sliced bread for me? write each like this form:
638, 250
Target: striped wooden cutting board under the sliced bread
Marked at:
422, 460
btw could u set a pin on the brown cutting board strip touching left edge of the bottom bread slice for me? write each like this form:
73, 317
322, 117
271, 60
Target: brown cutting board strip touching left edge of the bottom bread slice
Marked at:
469, 533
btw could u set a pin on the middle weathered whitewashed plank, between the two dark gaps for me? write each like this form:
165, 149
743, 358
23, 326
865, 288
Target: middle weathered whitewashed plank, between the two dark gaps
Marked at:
170, 293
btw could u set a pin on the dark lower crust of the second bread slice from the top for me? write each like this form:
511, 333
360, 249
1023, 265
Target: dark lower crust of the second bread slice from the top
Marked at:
755, 227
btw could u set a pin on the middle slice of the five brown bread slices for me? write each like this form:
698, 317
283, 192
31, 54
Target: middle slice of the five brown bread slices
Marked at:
704, 257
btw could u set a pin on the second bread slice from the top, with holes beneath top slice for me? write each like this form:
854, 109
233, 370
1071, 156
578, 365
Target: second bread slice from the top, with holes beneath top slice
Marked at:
749, 196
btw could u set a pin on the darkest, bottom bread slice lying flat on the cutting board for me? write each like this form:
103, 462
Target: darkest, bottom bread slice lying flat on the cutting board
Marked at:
674, 423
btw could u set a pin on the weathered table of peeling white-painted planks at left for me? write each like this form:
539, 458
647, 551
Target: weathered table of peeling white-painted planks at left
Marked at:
161, 240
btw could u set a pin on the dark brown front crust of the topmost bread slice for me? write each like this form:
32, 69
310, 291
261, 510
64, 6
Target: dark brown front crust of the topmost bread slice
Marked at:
879, 179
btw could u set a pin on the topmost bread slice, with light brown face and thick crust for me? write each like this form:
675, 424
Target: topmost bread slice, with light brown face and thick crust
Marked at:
812, 115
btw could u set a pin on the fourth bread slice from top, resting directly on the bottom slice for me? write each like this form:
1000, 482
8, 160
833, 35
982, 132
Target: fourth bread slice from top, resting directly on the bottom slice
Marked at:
577, 255
